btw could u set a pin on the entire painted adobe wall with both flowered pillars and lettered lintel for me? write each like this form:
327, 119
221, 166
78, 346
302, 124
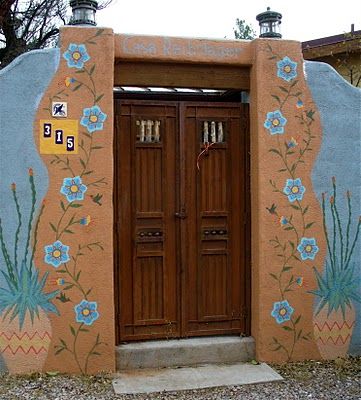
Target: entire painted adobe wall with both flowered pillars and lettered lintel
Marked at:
56, 187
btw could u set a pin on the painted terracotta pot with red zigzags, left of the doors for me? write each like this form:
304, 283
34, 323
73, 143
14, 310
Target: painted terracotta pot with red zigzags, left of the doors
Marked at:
25, 350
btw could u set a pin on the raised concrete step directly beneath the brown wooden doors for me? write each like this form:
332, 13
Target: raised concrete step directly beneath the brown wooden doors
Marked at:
185, 352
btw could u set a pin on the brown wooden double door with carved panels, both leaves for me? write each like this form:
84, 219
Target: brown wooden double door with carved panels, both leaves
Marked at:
181, 219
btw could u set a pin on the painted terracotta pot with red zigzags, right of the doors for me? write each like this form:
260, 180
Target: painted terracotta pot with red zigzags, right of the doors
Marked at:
333, 332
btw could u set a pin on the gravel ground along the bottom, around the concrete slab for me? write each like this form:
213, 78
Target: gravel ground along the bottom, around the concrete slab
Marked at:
340, 379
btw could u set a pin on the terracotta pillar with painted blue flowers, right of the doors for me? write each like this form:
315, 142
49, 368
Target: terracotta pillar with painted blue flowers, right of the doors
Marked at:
285, 139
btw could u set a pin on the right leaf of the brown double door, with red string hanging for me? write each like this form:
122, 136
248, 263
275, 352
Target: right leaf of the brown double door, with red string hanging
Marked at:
214, 196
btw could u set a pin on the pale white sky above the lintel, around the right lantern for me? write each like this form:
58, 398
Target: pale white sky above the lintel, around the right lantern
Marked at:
306, 20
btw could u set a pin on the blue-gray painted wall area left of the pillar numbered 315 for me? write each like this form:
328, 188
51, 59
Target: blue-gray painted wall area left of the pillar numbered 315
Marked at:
22, 85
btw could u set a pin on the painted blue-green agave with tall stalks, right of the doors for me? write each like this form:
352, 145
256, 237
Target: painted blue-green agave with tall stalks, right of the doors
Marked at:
338, 286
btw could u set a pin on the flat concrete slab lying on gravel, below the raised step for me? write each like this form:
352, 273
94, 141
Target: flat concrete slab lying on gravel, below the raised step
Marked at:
190, 378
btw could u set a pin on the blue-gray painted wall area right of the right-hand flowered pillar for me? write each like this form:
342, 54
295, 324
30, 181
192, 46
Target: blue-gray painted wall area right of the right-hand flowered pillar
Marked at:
339, 105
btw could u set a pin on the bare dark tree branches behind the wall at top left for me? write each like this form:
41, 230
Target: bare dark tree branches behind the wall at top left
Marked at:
31, 24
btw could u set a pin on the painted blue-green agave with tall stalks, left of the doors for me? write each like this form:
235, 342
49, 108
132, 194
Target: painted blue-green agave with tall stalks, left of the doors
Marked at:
25, 288
